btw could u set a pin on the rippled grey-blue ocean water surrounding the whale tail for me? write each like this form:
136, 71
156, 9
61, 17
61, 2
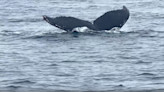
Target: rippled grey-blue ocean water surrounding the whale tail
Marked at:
36, 55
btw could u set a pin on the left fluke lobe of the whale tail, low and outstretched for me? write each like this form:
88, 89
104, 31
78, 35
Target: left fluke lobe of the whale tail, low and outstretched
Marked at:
68, 23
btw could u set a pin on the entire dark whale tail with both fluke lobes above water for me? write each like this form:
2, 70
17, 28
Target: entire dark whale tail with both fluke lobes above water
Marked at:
107, 21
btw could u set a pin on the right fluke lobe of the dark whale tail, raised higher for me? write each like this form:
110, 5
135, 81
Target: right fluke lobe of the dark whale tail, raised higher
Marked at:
112, 19
